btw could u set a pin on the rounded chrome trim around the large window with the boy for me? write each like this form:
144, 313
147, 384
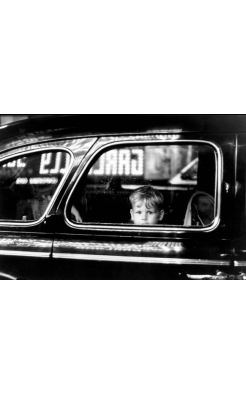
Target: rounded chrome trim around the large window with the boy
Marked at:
152, 229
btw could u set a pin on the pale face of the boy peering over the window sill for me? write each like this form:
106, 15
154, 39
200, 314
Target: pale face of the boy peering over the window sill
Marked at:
141, 215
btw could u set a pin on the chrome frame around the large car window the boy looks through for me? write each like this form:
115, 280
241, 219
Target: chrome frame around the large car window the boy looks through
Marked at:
104, 144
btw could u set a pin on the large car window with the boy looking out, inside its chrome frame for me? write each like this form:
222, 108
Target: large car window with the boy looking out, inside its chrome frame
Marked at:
179, 180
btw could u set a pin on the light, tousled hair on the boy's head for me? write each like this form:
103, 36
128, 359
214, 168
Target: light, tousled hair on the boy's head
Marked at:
151, 196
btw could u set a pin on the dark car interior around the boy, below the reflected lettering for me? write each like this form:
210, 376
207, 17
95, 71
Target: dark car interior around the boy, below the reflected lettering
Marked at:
105, 198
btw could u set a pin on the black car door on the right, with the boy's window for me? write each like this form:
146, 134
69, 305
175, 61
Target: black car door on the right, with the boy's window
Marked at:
102, 243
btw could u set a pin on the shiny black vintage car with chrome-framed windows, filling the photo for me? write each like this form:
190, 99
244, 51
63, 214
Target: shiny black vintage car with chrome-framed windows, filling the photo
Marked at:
65, 183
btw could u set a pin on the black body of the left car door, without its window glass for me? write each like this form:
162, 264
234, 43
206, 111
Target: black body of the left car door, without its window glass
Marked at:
26, 247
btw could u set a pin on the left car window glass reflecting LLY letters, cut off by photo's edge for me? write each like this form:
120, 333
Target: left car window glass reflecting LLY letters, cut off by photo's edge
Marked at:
28, 183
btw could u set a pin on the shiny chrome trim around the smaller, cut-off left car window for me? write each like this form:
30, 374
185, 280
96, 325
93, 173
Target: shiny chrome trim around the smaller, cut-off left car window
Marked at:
14, 223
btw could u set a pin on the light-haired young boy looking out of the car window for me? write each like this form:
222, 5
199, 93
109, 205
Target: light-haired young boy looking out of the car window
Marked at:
147, 205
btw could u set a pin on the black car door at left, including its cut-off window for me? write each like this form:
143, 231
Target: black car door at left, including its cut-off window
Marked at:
31, 179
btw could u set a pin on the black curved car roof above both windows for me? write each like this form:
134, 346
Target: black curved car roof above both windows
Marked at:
57, 126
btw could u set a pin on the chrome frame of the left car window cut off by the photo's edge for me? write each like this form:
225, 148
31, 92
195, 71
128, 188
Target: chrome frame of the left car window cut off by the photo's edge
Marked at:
29, 151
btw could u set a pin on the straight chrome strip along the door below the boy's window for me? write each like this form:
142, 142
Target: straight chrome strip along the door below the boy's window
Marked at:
138, 259
